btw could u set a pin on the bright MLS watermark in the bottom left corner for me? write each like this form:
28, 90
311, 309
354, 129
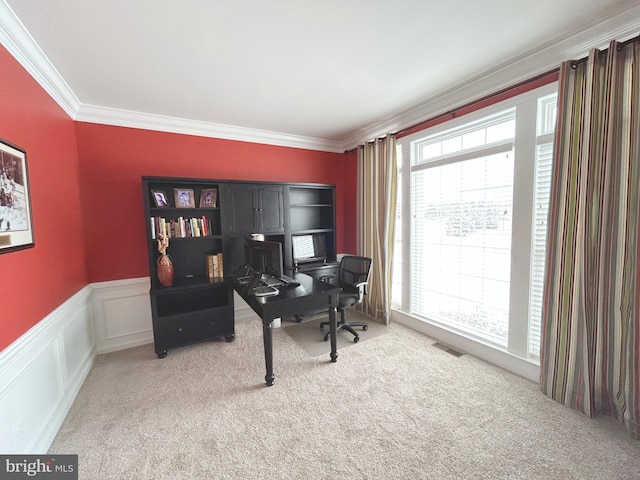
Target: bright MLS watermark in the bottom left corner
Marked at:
51, 467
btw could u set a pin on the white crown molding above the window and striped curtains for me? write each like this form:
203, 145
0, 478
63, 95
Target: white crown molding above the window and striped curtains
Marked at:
519, 69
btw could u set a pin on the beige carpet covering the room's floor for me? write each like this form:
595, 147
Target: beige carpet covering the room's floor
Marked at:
392, 407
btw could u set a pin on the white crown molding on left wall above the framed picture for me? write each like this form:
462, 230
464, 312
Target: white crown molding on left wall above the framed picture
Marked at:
19, 43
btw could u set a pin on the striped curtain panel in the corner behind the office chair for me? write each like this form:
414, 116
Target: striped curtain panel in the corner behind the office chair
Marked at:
377, 184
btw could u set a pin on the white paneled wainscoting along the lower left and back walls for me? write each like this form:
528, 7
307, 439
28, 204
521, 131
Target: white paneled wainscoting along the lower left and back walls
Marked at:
41, 373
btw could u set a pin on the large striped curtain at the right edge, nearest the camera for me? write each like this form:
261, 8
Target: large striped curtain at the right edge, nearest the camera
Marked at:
591, 314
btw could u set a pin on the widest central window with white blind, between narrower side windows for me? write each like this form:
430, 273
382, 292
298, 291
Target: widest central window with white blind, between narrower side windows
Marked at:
462, 201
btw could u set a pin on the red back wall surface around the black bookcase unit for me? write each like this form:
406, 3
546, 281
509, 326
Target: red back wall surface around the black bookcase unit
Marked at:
113, 160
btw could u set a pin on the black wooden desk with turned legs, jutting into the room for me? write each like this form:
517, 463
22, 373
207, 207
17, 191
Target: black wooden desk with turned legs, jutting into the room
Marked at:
310, 295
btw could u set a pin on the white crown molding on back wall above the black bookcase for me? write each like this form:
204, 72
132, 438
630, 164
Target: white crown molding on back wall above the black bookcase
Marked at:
161, 123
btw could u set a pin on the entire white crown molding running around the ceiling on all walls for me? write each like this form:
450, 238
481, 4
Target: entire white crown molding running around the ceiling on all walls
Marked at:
17, 40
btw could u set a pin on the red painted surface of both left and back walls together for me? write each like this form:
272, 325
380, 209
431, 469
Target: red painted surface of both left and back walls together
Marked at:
86, 194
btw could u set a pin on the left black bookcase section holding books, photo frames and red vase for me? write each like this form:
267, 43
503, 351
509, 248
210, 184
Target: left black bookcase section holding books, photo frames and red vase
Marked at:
195, 307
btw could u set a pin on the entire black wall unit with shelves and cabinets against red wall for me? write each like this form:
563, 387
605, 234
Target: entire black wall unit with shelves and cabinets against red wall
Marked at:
197, 308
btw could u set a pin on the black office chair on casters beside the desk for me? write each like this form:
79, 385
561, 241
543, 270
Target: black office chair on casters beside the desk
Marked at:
353, 277
